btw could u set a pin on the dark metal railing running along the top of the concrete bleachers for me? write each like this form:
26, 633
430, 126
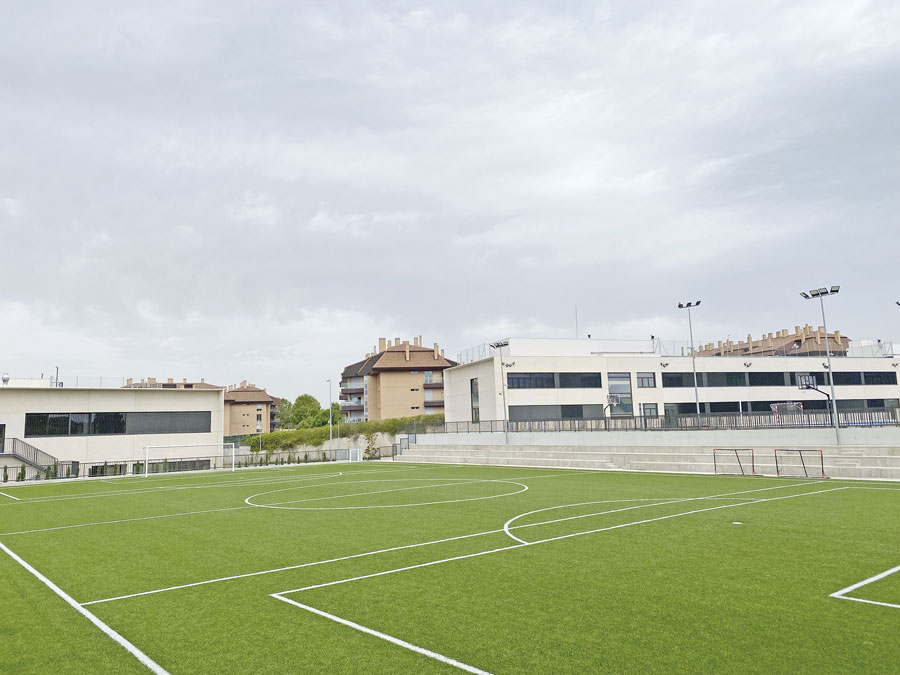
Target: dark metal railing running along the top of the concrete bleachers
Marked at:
714, 421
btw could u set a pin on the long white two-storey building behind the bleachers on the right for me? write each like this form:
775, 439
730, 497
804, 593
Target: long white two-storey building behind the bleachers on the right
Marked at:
535, 379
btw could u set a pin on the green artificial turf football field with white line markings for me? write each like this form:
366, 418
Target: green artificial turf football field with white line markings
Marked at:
391, 567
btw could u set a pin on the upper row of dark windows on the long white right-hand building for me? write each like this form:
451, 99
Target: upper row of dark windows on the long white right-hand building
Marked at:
736, 379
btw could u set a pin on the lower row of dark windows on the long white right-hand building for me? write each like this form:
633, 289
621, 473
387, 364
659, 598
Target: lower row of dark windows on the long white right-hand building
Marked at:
531, 413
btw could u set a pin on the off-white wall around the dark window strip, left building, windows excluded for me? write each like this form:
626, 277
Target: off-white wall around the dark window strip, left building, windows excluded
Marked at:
15, 403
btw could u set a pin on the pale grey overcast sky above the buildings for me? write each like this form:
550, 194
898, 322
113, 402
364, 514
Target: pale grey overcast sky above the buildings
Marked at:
261, 190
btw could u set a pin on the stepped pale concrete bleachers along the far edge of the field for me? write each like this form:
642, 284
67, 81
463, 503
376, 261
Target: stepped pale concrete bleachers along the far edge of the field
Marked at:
873, 460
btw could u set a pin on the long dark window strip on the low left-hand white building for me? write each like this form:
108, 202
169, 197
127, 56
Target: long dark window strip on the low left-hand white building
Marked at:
106, 424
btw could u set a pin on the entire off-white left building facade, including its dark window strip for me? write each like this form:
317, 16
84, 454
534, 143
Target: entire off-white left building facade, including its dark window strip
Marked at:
88, 425
